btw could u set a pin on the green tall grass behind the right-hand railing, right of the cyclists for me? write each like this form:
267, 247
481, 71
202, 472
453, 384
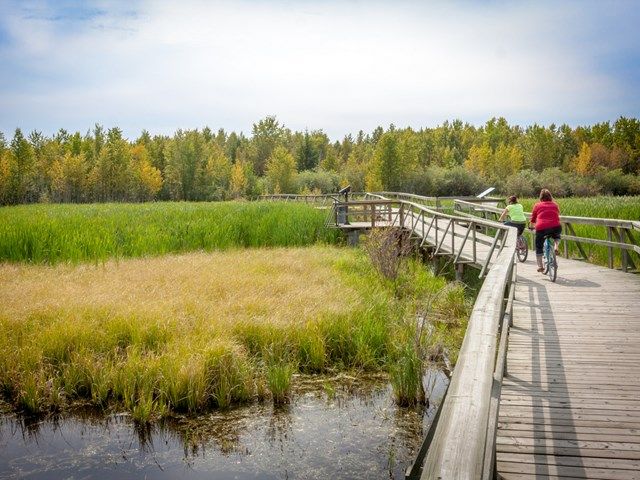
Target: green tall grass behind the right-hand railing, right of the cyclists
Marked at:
627, 208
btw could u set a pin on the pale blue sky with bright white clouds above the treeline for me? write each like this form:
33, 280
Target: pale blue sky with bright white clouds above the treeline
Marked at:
339, 66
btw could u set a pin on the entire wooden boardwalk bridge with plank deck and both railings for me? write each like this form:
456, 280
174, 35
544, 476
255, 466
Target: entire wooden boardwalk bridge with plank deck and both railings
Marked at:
547, 383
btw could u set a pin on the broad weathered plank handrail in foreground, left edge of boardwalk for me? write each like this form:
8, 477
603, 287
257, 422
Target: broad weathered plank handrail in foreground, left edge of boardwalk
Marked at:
463, 433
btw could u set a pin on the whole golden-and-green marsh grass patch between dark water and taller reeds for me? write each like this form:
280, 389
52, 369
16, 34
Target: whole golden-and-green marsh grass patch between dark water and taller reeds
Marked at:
188, 333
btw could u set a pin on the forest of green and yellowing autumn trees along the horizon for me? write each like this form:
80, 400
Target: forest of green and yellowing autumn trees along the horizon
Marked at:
454, 158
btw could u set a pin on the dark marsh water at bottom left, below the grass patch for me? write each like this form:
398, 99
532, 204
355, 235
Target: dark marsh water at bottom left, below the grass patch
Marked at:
338, 428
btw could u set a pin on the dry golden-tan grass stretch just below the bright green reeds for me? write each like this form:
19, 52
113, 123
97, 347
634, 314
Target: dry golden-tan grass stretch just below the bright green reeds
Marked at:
208, 289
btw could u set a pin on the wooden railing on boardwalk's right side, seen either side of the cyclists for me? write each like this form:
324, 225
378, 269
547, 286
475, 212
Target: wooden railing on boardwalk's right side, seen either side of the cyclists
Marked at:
619, 233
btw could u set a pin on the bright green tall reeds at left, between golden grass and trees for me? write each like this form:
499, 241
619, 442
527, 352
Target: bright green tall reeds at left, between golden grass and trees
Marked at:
77, 233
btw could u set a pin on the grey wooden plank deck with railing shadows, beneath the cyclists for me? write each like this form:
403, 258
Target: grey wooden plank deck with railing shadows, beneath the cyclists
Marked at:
570, 401
